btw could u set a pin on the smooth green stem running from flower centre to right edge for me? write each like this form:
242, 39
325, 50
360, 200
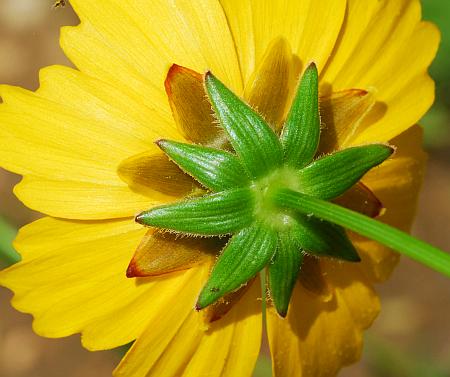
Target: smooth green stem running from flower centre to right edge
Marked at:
365, 226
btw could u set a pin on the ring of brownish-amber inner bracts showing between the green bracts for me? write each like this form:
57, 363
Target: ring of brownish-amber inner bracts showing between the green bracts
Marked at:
269, 91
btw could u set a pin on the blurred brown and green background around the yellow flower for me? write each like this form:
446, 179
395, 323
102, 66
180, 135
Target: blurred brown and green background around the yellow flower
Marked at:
411, 338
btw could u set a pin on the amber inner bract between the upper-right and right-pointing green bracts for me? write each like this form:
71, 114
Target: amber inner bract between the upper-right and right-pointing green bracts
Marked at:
341, 114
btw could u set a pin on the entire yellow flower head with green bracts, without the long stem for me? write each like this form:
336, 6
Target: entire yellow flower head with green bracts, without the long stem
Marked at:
246, 158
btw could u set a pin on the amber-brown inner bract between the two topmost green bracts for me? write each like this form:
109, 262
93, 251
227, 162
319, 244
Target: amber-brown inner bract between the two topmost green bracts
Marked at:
268, 89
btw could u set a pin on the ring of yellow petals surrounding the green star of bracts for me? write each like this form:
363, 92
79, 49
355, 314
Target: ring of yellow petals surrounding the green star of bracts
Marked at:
69, 138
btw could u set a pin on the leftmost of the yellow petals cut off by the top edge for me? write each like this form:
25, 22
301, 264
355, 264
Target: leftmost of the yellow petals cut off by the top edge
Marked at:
162, 33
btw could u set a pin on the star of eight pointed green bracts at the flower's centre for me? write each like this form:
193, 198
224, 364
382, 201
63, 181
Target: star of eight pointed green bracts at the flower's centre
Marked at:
243, 199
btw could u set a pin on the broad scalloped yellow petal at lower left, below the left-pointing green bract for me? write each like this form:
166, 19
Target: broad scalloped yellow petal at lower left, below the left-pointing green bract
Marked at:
72, 279
